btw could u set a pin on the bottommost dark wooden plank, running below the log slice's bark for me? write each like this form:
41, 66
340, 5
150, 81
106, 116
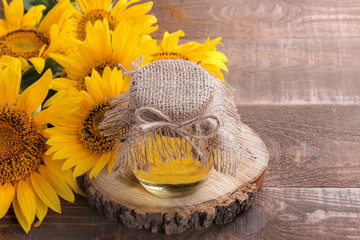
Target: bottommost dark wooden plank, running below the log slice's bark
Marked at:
277, 213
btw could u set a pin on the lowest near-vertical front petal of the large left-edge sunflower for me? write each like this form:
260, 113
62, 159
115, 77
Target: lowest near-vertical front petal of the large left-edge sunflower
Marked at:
26, 199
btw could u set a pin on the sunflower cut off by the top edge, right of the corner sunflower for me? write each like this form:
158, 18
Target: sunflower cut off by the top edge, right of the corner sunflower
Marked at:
90, 11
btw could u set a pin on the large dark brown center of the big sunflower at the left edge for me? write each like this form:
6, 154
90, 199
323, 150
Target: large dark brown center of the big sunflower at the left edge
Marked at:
21, 145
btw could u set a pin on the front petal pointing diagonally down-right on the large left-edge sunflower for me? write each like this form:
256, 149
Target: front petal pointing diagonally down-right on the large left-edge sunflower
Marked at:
45, 192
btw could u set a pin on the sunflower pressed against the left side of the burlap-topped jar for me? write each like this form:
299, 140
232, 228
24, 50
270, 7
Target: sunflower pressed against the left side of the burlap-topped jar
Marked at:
76, 138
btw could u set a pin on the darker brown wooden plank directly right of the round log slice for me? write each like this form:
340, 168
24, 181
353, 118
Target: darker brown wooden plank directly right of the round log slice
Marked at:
309, 145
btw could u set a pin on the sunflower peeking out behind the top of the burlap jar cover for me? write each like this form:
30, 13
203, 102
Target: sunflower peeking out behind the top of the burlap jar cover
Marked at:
205, 54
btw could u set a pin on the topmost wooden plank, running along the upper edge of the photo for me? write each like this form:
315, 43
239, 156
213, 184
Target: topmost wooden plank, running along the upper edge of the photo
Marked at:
260, 20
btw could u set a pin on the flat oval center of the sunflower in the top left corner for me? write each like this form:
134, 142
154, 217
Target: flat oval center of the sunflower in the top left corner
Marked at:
23, 43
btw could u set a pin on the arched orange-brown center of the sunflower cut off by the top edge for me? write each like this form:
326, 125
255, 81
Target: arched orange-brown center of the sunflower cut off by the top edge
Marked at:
92, 16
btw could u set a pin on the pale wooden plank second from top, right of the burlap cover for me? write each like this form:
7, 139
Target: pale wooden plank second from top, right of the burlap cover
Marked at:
294, 71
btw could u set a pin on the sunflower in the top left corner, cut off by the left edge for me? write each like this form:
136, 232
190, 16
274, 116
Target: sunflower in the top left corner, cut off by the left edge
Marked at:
30, 38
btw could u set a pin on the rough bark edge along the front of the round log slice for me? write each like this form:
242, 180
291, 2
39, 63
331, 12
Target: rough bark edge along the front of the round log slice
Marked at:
171, 220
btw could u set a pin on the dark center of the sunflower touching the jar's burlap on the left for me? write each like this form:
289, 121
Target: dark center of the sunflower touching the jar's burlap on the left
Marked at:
90, 134
